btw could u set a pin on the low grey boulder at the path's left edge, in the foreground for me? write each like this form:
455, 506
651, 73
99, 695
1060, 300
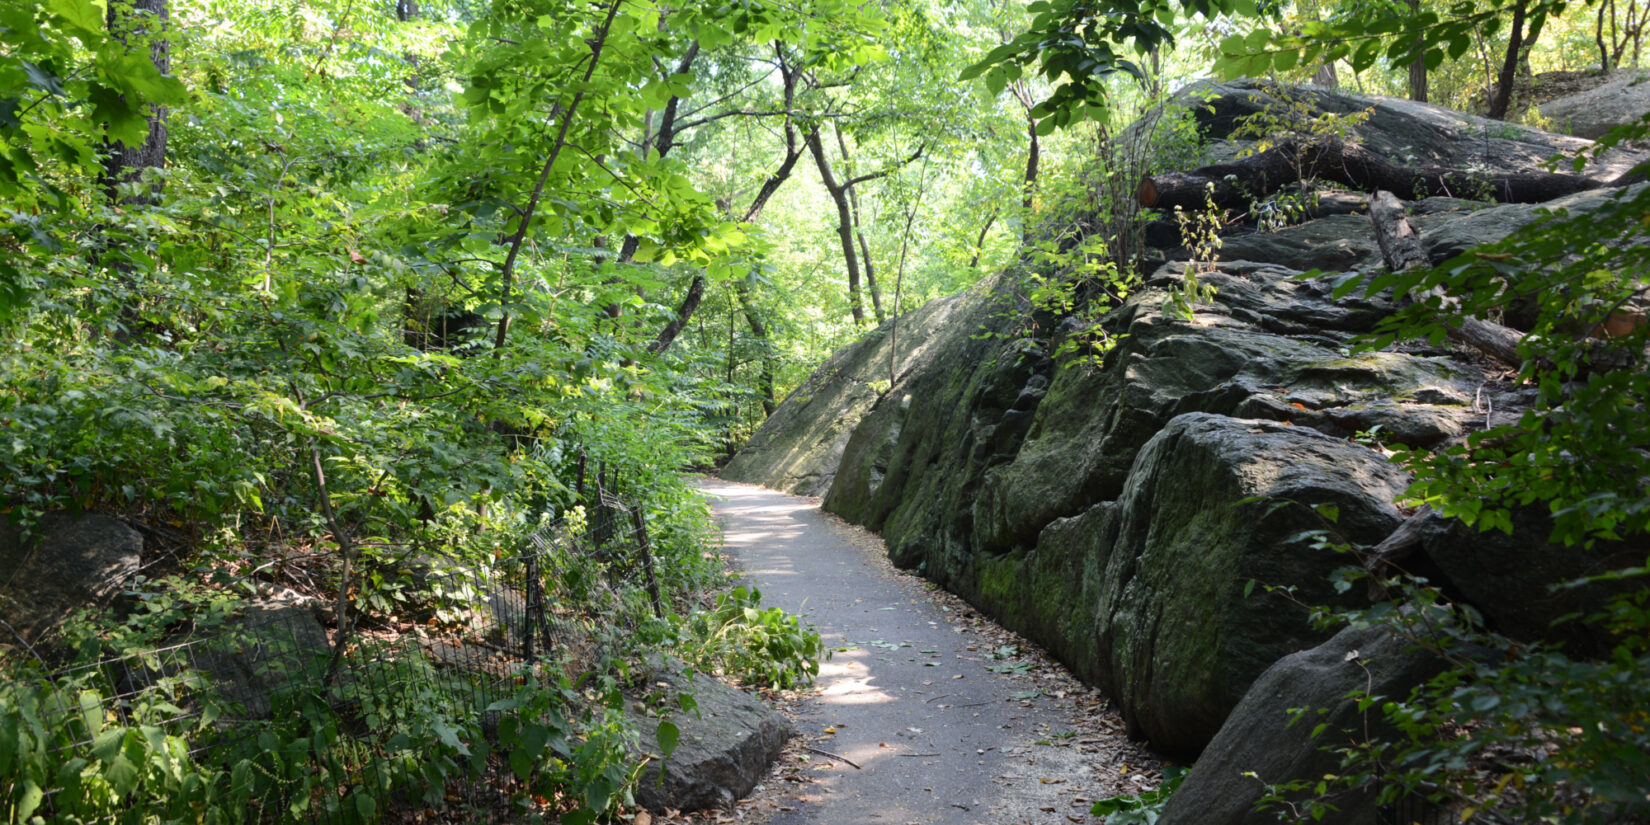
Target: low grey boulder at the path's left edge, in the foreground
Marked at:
725, 748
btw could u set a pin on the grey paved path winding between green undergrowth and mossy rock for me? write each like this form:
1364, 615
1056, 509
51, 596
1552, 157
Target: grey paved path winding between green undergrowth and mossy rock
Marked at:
910, 694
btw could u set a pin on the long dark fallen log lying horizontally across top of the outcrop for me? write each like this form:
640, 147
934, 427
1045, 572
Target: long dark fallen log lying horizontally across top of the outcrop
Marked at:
1247, 181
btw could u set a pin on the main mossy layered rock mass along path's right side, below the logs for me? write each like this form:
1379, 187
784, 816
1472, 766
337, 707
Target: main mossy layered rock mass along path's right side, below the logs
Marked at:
1022, 484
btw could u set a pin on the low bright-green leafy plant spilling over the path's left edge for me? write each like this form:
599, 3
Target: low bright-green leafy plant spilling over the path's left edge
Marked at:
760, 646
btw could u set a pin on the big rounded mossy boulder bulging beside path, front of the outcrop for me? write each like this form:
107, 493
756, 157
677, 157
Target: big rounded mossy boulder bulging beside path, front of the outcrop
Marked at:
1151, 596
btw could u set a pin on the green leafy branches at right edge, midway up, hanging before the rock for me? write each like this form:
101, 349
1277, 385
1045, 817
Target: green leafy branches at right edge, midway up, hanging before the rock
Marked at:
1578, 453
